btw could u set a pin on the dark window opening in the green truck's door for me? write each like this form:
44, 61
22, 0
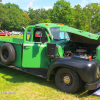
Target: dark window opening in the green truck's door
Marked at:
38, 35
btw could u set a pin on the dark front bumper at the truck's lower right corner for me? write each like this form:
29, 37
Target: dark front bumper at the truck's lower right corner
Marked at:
93, 86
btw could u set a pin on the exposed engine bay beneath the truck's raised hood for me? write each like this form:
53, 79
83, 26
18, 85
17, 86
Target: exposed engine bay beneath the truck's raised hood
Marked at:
80, 50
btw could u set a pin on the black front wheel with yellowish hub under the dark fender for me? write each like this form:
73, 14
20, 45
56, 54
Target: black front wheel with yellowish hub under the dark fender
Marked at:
67, 80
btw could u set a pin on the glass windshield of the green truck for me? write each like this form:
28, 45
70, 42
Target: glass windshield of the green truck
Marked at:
57, 34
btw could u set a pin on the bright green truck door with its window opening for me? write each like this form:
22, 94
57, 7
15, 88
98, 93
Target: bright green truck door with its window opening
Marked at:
34, 51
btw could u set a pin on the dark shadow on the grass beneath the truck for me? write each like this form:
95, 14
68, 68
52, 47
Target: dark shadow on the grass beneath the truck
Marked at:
22, 77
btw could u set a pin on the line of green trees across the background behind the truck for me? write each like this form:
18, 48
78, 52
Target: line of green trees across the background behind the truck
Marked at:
86, 18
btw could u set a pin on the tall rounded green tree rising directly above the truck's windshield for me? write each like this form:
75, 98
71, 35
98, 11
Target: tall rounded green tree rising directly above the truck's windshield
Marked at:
62, 13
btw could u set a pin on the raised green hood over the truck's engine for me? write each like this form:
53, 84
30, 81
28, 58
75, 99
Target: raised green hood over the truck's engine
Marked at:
77, 35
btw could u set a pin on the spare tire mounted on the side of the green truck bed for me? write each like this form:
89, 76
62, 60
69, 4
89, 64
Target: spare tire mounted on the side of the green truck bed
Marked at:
7, 53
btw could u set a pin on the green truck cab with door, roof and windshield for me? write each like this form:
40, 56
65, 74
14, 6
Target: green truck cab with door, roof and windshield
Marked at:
36, 45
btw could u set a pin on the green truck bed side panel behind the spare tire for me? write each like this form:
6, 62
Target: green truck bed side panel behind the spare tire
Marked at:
17, 44
